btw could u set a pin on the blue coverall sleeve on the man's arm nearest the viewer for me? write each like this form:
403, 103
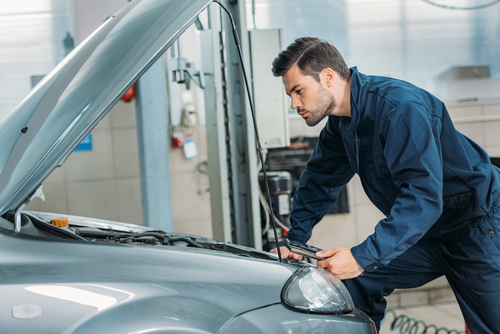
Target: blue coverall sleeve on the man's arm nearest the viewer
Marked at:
413, 155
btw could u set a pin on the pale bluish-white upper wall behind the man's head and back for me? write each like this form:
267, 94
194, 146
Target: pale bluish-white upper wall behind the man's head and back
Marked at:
410, 40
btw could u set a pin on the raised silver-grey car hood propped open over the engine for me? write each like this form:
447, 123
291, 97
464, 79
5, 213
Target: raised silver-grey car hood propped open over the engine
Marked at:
43, 130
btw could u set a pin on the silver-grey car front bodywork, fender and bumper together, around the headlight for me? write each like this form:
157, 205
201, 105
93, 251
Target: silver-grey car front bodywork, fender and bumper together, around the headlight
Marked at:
79, 286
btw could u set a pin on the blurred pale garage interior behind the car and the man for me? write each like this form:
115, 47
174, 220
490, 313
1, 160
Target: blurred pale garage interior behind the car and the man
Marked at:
182, 158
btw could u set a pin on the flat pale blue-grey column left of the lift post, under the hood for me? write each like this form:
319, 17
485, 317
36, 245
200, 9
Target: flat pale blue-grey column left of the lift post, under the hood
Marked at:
152, 134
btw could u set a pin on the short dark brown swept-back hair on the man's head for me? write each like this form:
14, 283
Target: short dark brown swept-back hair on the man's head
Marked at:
312, 55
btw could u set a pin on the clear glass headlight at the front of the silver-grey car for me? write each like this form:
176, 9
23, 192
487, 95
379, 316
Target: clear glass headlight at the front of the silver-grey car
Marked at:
316, 290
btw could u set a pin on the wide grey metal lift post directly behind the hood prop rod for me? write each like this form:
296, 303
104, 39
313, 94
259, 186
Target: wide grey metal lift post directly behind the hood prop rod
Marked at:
232, 154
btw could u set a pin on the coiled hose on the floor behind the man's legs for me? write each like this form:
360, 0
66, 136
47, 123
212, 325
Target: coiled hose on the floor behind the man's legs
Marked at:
409, 325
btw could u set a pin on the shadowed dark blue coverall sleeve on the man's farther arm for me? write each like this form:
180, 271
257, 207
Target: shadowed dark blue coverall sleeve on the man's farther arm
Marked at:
327, 171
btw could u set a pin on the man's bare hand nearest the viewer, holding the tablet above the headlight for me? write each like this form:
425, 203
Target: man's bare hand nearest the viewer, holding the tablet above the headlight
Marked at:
340, 262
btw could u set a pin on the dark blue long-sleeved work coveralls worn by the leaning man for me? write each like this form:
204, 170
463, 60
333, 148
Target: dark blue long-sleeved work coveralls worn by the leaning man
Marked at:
437, 188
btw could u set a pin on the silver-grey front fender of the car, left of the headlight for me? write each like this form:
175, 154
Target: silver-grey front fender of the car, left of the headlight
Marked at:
81, 286
